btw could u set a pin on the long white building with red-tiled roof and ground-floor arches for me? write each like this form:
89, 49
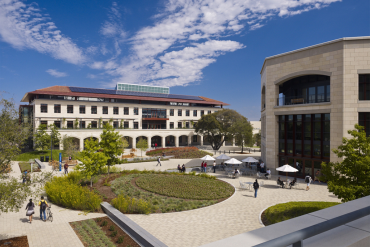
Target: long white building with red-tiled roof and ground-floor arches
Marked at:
134, 111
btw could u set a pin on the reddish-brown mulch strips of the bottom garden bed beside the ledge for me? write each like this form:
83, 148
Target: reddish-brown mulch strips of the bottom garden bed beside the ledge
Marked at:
127, 240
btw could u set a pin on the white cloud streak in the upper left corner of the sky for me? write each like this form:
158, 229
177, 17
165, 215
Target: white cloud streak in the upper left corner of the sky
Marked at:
24, 27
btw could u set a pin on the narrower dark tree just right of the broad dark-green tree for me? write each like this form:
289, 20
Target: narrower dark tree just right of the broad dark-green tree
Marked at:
242, 131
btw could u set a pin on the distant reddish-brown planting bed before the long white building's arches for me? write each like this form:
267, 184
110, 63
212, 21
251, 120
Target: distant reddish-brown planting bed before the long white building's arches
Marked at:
179, 153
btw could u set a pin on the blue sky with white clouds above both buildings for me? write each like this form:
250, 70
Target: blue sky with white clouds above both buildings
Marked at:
211, 48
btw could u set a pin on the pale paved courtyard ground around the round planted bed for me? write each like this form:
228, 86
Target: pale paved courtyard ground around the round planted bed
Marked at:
239, 213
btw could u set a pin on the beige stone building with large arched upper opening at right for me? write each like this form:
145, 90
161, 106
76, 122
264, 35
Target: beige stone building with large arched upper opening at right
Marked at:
310, 98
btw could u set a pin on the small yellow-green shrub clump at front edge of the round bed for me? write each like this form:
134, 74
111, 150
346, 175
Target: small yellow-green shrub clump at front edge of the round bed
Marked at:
126, 204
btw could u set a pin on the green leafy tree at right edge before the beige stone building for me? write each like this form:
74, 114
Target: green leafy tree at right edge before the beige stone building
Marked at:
350, 179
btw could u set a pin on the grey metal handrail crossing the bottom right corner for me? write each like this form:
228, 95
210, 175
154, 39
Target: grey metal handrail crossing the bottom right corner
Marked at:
296, 238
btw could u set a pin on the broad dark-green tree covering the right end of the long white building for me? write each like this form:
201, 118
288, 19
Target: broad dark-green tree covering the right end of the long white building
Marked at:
217, 127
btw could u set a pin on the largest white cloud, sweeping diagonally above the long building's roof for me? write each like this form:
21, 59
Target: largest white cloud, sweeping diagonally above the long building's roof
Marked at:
187, 36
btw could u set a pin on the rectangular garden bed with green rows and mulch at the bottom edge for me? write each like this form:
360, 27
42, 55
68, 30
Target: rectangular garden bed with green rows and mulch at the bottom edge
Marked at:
102, 232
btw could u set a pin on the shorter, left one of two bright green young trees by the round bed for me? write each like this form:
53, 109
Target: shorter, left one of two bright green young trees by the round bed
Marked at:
92, 160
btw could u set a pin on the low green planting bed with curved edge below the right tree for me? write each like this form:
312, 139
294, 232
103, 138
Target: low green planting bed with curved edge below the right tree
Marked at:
289, 210
